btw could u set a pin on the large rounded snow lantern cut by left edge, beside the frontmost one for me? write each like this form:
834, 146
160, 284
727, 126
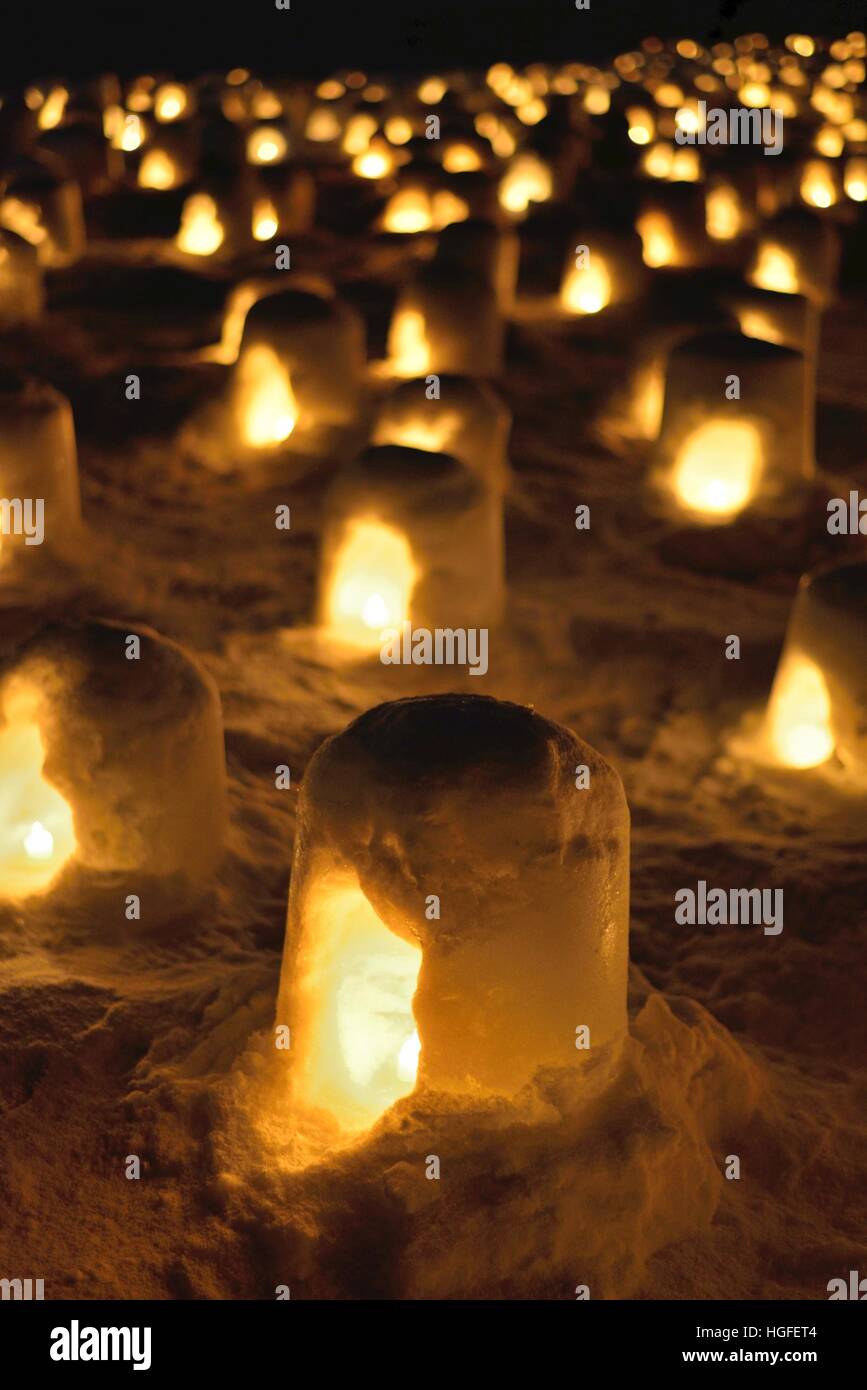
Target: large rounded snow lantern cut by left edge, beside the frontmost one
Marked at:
113, 764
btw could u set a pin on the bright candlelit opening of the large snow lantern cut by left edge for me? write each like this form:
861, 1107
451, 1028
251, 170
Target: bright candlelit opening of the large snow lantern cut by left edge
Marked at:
37, 836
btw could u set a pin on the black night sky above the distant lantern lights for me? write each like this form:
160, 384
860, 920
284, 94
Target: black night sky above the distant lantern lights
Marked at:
185, 37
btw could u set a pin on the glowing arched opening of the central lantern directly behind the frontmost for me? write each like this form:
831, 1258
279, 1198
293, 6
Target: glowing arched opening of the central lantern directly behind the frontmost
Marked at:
372, 584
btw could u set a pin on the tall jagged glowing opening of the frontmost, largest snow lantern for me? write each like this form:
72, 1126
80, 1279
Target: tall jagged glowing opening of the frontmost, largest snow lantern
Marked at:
359, 1039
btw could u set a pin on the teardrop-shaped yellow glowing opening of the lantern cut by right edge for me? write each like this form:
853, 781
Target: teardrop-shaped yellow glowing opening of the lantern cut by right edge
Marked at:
800, 715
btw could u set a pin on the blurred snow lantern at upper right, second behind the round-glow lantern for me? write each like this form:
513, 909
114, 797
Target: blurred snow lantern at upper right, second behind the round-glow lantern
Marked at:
798, 254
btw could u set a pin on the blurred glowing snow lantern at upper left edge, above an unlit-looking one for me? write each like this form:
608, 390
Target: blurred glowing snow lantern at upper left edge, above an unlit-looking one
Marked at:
44, 206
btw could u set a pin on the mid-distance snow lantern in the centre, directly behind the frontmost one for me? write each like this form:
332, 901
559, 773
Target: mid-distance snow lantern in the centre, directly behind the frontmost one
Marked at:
409, 536
